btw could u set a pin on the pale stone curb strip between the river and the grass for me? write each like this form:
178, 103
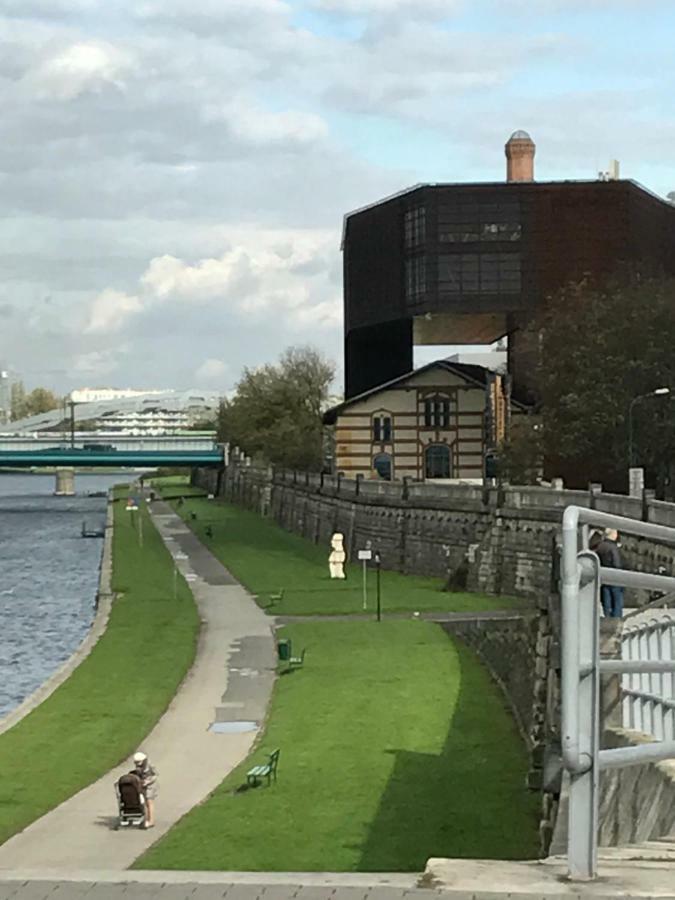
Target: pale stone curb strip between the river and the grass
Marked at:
97, 628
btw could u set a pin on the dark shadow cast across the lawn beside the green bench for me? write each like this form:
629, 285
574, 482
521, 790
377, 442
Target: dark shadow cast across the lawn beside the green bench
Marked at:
468, 802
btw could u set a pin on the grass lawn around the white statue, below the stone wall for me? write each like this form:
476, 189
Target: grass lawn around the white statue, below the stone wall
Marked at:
265, 558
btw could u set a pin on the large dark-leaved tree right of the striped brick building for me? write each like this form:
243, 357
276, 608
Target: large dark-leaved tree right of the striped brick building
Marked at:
599, 348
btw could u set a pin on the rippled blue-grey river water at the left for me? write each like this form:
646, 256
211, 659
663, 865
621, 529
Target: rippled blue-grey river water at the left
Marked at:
48, 576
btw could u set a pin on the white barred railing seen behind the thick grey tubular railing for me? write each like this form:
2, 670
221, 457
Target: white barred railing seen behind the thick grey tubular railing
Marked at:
649, 697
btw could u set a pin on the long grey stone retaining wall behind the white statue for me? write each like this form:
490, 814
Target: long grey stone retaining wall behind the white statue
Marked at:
500, 541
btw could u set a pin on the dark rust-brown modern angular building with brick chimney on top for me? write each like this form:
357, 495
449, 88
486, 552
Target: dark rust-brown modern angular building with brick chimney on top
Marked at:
470, 263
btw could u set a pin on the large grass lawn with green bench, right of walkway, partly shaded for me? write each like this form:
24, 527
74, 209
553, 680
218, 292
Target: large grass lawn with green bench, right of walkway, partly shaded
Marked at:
395, 746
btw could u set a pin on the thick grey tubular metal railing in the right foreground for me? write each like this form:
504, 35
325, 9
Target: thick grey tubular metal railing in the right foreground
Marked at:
582, 577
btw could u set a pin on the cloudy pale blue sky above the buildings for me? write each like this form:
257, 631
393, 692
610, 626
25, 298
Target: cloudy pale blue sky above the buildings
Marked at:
174, 173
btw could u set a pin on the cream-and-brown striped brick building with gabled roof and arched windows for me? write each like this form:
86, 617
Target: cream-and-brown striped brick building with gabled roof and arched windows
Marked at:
440, 422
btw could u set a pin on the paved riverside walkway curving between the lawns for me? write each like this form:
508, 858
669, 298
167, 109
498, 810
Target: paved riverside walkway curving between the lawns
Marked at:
230, 681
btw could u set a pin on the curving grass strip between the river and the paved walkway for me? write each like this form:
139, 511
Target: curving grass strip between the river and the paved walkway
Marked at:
113, 699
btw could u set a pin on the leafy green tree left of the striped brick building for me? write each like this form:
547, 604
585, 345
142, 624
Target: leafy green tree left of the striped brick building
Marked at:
275, 414
